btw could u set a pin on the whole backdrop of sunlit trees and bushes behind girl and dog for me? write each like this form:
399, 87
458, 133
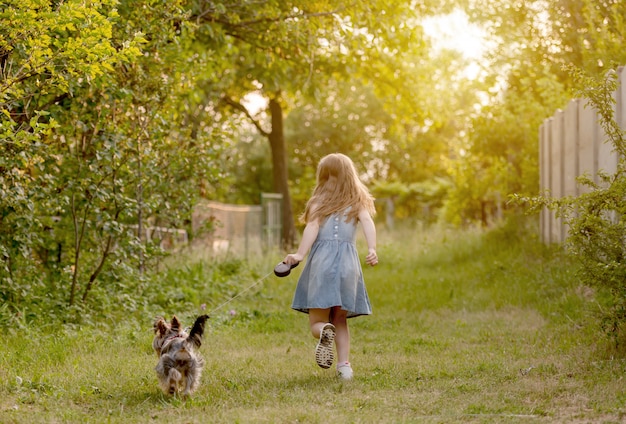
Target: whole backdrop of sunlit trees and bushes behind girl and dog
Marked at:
116, 115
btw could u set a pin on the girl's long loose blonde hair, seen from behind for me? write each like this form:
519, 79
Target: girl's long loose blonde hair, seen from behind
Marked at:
338, 188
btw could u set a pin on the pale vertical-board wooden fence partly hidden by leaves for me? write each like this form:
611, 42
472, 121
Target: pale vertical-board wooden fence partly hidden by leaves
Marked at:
572, 143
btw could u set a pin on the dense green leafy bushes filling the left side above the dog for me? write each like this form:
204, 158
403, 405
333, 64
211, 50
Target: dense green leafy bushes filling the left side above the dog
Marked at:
95, 148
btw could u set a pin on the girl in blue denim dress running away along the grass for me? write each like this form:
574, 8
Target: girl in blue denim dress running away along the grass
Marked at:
331, 287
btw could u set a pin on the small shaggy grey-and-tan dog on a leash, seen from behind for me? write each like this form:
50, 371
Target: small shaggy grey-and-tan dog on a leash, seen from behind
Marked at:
180, 365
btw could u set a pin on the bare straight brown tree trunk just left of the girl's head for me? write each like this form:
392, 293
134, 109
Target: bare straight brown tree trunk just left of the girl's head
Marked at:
280, 172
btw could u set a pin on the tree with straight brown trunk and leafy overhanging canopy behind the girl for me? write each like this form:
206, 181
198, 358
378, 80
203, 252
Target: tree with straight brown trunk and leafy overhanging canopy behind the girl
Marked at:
286, 49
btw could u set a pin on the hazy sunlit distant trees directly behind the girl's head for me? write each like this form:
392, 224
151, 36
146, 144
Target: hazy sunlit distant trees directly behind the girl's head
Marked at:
395, 140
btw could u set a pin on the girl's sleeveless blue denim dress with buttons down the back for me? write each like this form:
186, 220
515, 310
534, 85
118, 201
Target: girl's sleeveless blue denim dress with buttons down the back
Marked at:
332, 275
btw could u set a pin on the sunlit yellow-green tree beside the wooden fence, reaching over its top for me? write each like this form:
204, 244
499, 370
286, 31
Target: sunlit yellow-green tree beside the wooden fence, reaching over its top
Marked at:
527, 80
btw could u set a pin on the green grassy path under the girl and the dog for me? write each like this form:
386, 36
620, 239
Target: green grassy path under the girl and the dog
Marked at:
467, 327
